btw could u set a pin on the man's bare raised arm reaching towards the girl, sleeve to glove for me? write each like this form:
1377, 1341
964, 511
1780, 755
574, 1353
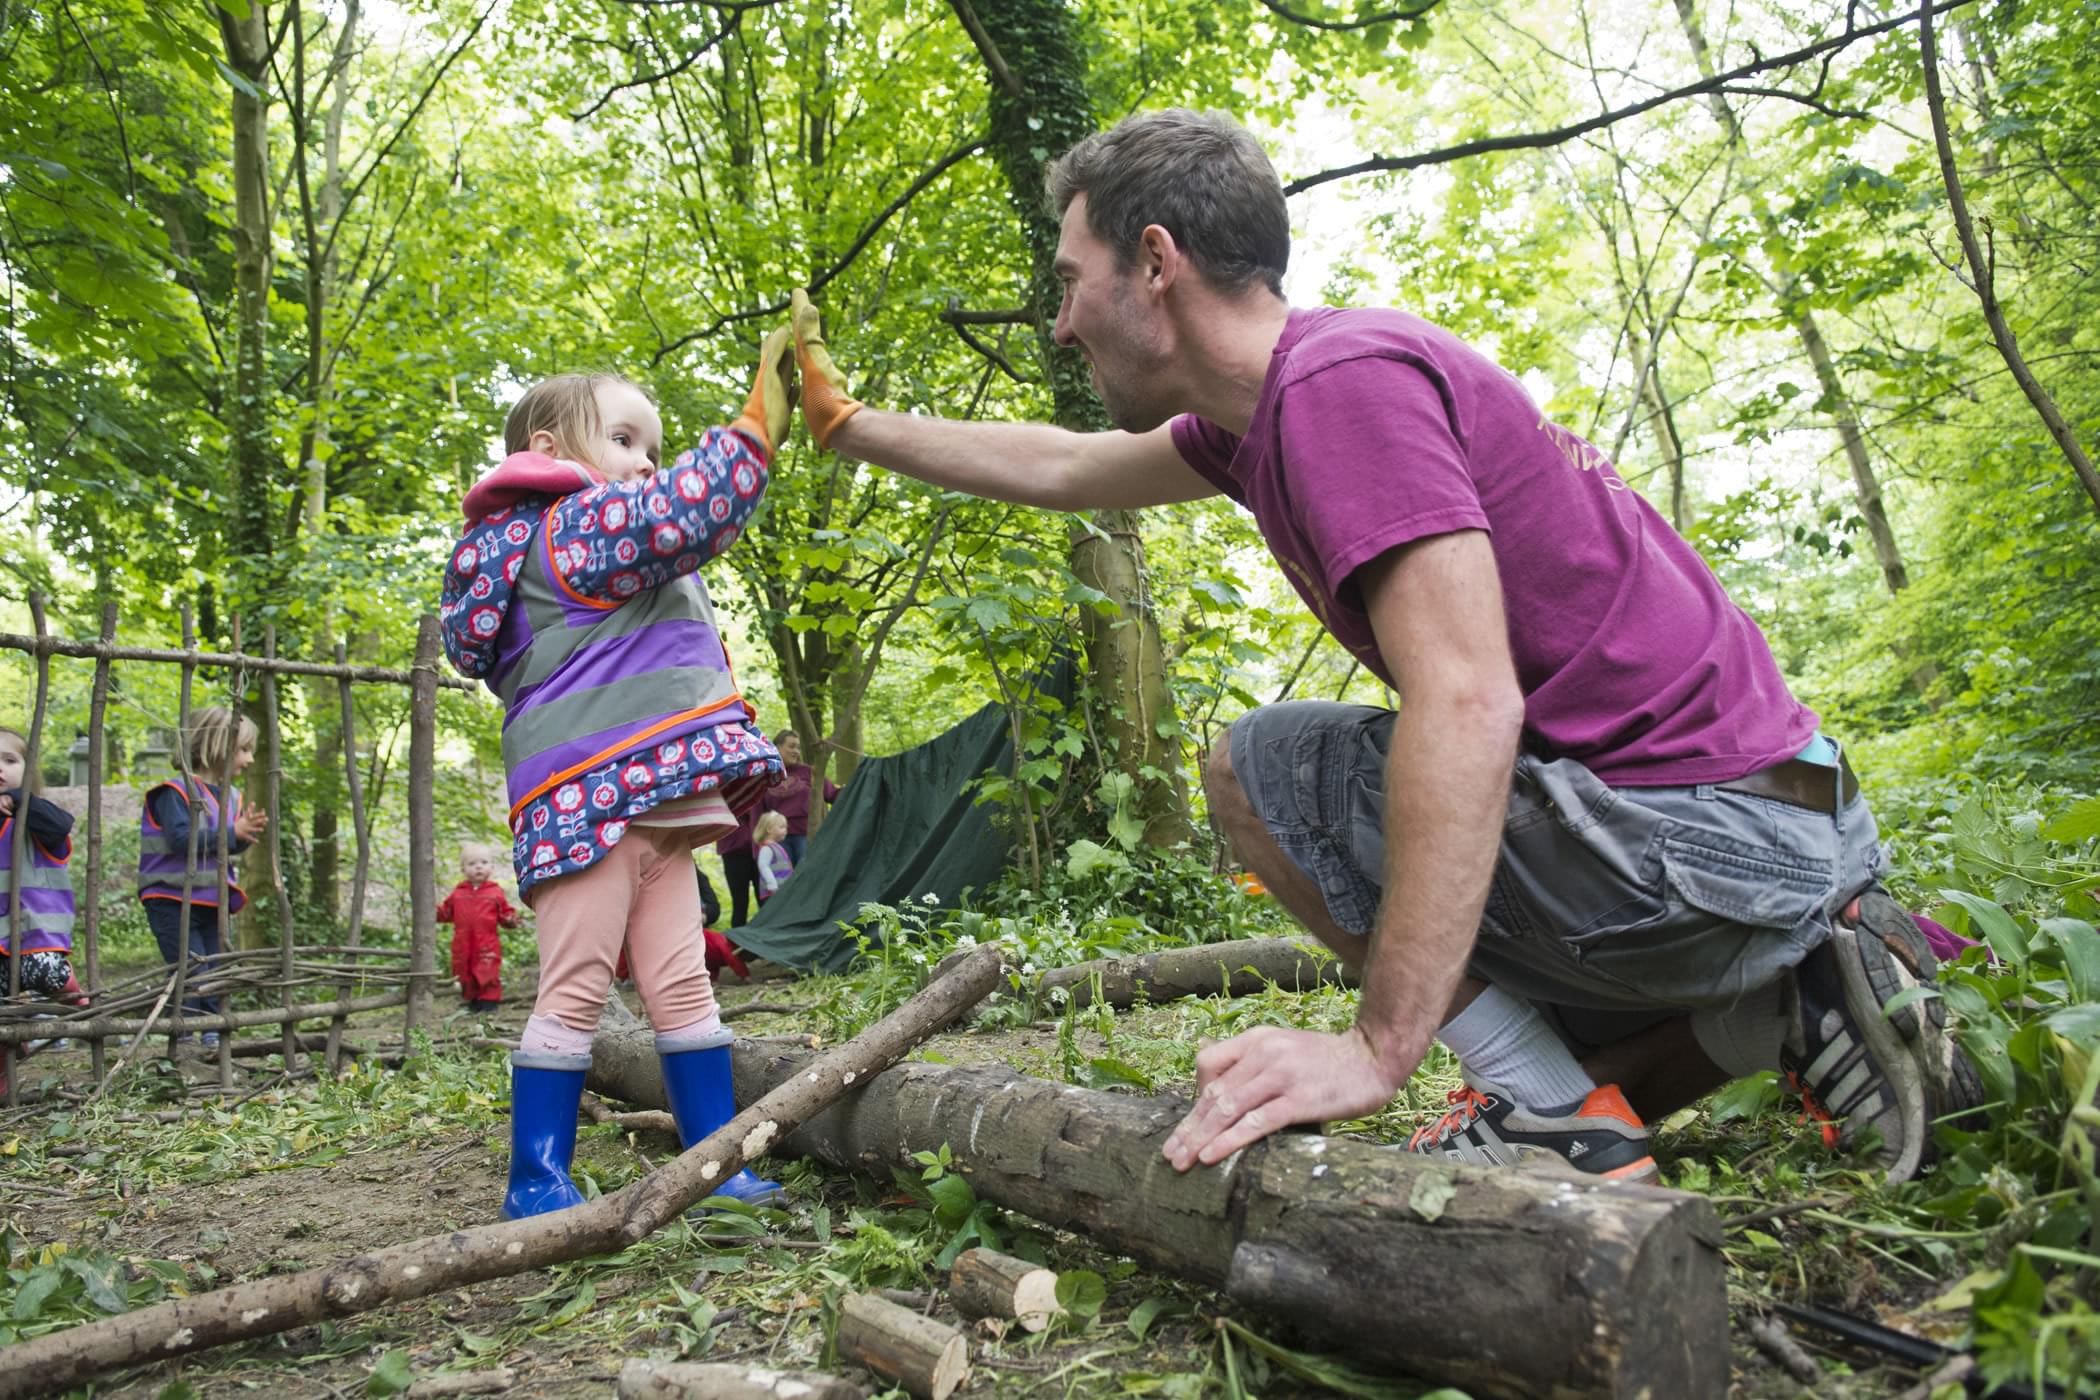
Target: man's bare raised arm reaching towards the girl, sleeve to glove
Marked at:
1032, 465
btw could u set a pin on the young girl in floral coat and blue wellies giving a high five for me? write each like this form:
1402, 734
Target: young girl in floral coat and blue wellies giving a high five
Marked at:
574, 595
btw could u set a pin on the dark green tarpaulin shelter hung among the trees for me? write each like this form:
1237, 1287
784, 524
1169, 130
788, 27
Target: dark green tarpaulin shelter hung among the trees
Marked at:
904, 828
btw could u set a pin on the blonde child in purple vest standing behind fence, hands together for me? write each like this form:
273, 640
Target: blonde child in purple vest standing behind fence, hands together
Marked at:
217, 748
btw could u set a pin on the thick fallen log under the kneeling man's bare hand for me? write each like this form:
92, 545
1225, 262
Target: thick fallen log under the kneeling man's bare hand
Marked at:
1509, 1284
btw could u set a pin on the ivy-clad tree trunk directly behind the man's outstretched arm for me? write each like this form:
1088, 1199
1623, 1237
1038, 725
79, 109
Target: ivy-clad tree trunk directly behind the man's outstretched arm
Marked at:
1038, 110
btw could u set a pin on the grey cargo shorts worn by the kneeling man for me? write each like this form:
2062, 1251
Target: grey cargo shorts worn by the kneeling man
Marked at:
1605, 899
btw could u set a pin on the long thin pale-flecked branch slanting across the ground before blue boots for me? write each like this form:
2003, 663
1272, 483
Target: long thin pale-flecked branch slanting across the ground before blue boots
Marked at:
419, 1269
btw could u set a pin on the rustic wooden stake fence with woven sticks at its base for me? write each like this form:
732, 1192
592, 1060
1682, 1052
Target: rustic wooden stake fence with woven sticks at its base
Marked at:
276, 975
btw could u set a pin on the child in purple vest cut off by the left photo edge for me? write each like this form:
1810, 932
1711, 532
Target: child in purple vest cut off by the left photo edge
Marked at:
47, 893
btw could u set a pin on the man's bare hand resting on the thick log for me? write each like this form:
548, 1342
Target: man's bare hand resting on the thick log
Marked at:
1272, 1078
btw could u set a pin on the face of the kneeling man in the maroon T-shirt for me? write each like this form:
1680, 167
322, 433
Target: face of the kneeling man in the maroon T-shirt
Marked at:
1108, 318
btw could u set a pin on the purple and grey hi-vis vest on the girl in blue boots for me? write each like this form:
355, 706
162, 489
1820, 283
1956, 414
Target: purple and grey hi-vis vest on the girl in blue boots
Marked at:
591, 681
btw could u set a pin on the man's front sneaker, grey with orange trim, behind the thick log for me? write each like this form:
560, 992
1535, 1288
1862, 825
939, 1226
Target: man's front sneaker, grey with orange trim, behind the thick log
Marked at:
1488, 1128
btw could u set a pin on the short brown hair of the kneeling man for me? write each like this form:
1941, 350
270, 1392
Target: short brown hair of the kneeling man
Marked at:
1198, 175
